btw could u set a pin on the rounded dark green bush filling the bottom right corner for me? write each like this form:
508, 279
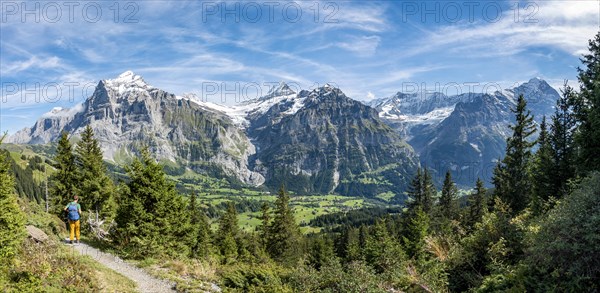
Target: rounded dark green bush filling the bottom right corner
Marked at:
565, 254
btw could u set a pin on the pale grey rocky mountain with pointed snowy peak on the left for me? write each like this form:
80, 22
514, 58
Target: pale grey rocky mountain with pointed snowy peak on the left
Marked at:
127, 114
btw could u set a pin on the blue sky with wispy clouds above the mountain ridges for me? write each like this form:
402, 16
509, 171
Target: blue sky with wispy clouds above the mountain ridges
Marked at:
370, 49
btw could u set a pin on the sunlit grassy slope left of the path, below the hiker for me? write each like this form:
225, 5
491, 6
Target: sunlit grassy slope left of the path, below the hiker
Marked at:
53, 267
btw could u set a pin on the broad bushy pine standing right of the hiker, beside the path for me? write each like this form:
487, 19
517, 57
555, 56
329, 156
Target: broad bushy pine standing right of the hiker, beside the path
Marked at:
152, 218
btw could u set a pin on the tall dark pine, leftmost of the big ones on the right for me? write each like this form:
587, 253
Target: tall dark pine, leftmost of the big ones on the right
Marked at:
512, 177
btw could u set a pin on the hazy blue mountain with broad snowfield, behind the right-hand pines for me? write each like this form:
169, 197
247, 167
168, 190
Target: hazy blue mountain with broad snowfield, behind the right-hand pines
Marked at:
465, 133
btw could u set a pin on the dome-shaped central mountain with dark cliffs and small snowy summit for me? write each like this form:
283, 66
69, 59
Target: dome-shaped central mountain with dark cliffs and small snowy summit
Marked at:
330, 144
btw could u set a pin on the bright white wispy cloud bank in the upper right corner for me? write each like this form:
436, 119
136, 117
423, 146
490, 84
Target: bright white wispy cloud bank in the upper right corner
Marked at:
562, 25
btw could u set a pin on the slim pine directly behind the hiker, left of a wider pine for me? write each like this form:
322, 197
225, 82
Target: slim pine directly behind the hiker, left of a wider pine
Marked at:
63, 181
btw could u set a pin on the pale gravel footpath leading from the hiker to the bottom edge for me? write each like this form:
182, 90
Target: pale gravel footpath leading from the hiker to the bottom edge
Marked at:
145, 282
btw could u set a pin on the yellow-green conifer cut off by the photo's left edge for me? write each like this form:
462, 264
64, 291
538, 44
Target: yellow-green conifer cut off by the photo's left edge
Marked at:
12, 218
